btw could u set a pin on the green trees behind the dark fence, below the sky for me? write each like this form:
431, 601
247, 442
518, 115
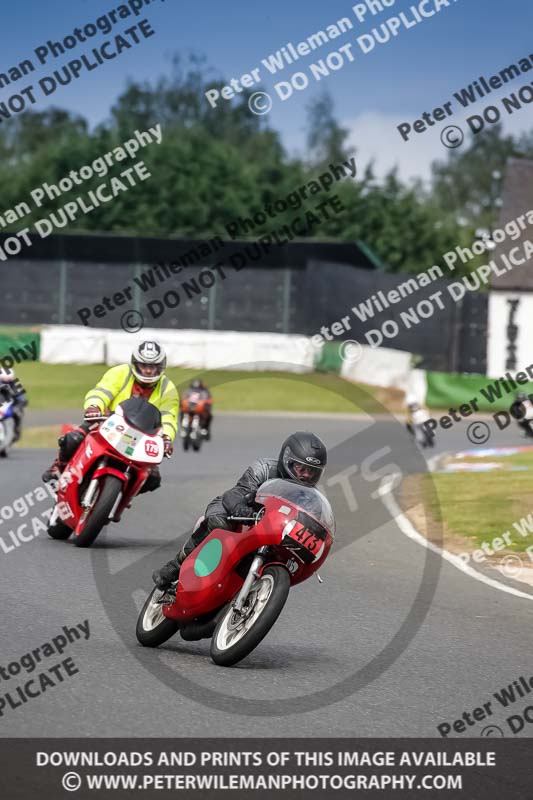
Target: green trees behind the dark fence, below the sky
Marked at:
217, 164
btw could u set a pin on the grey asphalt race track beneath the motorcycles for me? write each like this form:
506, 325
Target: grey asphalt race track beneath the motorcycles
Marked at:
394, 642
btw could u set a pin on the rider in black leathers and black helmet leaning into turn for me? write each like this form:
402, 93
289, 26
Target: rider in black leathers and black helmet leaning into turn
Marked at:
303, 458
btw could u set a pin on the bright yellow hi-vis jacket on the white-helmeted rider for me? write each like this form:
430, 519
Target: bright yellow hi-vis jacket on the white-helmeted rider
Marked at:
116, 386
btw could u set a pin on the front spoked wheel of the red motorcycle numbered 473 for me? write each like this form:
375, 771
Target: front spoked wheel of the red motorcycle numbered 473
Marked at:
237, 634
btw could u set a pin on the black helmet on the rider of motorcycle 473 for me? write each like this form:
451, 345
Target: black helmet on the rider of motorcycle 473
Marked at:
303, 458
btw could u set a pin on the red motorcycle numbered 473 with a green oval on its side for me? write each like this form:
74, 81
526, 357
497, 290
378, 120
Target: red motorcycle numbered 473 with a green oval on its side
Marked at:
233, 587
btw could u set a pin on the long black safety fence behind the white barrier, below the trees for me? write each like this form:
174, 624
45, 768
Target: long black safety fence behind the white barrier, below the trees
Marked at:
337, 291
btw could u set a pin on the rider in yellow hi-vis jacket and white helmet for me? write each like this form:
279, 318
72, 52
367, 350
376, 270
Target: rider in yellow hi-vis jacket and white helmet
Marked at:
144, 377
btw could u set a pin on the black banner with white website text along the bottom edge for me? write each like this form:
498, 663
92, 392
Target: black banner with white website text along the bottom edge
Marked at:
265, 768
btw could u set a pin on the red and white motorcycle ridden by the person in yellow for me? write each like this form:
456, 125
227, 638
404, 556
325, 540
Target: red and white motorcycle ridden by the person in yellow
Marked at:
107, 471
